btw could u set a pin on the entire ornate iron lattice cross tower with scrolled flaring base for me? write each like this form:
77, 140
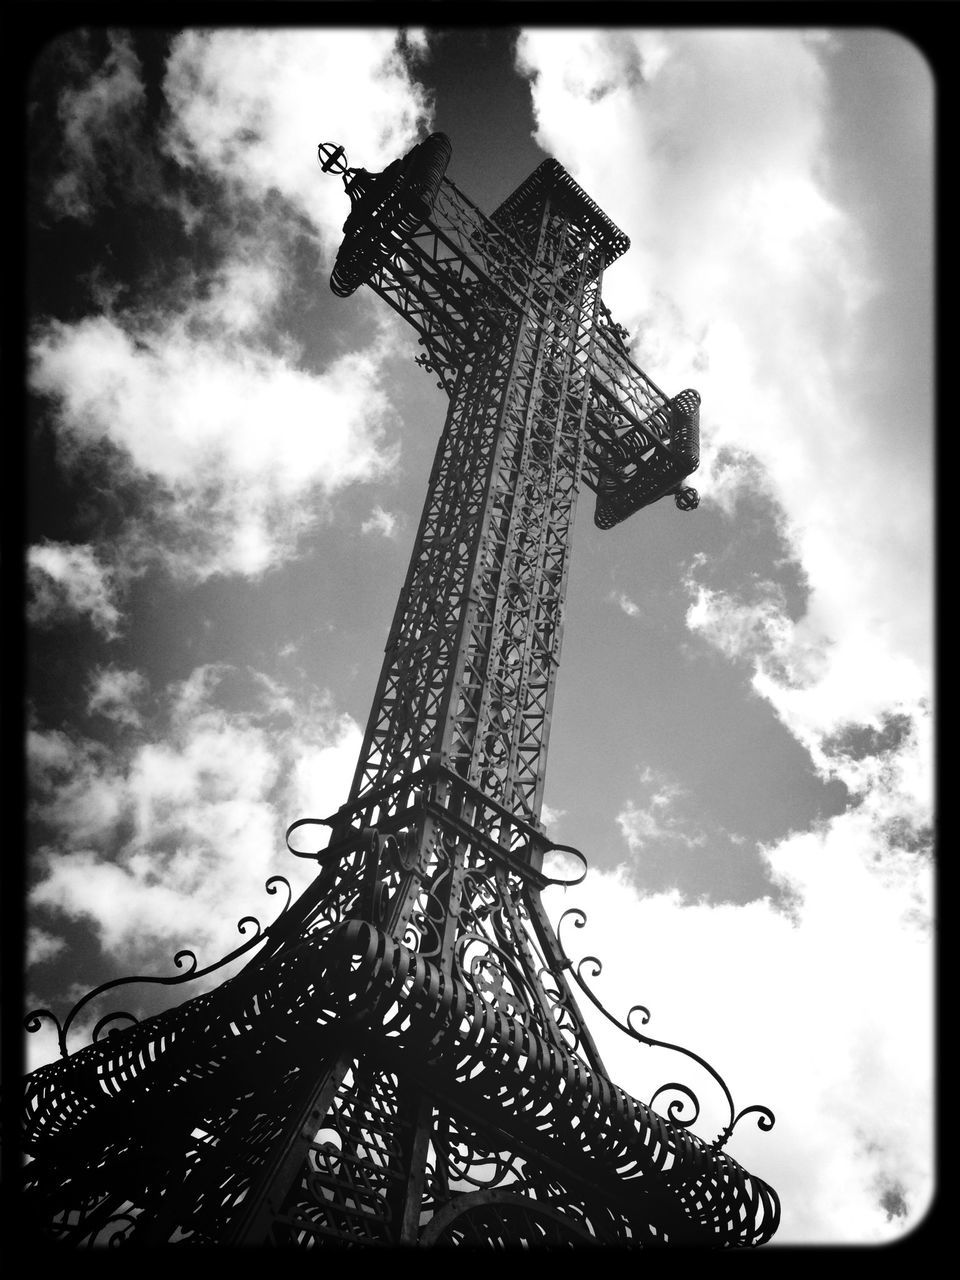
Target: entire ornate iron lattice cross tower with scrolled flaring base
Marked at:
403, 1059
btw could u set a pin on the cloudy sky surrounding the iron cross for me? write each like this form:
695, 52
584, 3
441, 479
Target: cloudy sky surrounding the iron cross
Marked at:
226, 467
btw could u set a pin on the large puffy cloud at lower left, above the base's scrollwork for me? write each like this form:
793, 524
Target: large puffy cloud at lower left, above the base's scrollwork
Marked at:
167, 839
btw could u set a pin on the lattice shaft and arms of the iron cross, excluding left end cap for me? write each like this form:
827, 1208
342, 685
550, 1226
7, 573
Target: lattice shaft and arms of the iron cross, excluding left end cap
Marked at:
543, 395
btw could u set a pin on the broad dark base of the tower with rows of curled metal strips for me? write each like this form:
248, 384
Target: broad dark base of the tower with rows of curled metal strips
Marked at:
348, 1145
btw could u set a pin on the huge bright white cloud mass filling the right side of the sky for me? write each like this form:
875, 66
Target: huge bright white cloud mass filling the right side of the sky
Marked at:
751, 280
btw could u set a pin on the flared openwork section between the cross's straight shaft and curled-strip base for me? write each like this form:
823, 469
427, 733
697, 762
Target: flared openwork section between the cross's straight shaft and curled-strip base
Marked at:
454, 875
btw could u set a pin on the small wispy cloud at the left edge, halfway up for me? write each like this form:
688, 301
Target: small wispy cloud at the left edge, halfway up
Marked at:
70, 580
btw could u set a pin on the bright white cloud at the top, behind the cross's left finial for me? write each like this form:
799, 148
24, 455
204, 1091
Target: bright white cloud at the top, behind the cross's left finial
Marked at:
250, 109
